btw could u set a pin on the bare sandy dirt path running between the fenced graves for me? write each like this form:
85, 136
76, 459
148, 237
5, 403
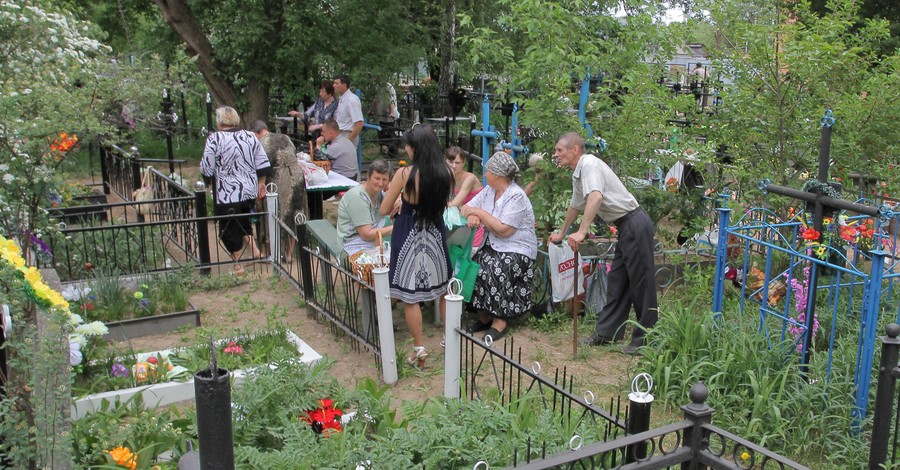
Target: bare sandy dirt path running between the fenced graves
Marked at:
603, 370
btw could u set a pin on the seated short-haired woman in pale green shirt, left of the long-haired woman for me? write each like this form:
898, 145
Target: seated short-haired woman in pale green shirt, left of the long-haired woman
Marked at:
359, 218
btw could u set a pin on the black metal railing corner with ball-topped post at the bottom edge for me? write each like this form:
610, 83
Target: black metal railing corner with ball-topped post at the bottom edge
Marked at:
691, 443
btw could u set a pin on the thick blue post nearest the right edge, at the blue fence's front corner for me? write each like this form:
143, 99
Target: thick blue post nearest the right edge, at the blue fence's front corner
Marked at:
868, 334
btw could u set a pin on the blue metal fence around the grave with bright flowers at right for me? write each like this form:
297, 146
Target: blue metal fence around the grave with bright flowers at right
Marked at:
771, 263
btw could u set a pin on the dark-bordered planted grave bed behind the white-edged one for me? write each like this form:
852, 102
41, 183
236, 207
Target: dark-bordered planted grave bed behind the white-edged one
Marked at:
154, 305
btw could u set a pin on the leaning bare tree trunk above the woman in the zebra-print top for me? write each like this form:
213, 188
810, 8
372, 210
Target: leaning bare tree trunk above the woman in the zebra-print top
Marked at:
178, 15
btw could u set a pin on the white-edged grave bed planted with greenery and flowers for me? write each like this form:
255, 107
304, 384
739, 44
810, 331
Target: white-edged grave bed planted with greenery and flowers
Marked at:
166, 376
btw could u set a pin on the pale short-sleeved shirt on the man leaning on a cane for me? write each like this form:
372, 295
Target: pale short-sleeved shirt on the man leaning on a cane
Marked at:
592, 174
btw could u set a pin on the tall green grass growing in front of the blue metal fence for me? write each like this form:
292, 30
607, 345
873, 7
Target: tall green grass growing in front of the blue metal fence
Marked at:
756, 385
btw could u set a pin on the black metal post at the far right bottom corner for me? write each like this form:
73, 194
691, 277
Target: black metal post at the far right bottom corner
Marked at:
886, 418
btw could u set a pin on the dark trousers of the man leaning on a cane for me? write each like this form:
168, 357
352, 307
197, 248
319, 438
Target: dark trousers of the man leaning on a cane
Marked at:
632, 280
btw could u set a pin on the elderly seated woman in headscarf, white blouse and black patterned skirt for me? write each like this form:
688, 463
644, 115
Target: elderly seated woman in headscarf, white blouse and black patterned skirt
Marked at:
503, 288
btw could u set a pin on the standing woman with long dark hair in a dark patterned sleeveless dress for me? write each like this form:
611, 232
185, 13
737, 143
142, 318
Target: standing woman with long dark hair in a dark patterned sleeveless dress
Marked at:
420, 264
